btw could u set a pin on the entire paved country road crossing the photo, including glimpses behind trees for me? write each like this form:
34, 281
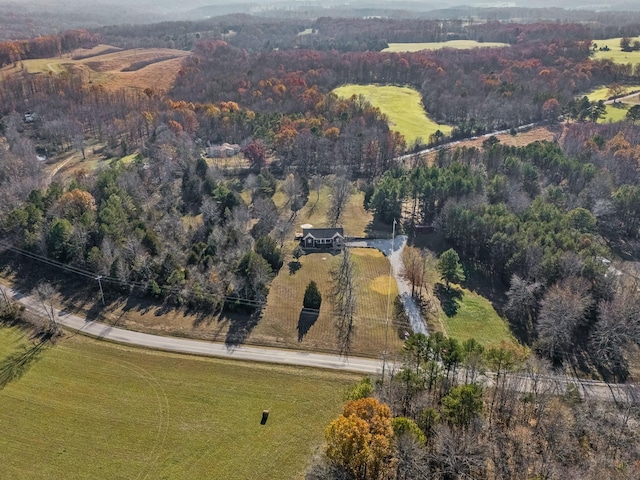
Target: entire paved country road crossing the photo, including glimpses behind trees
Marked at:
553, 384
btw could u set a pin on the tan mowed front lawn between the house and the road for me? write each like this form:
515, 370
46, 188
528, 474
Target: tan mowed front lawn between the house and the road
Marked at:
284, 323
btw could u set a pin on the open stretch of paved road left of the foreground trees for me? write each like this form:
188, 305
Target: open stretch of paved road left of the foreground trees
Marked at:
198, 347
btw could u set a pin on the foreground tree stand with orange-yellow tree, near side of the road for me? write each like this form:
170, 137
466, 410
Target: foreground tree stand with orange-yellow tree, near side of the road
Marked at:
431, 419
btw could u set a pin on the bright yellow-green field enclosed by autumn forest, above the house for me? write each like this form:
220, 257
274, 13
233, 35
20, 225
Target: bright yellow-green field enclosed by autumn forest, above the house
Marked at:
402, 105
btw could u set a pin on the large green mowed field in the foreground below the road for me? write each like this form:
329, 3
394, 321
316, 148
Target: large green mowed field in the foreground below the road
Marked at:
93, 410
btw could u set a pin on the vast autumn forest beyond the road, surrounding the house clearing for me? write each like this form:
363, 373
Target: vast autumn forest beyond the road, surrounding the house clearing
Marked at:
545, 221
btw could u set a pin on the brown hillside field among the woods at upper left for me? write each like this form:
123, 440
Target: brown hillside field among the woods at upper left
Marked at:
105, 69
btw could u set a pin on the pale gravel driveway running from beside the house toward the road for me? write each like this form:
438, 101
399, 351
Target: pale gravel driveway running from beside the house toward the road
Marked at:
404, 288
